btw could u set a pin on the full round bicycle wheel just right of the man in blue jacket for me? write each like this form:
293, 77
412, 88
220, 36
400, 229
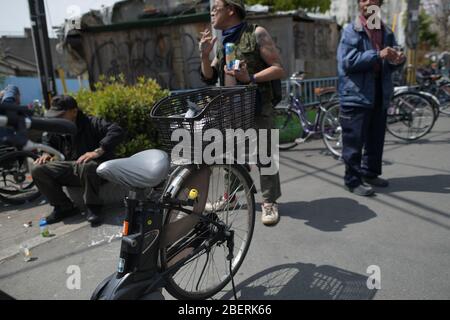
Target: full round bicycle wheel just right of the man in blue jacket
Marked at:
410, 116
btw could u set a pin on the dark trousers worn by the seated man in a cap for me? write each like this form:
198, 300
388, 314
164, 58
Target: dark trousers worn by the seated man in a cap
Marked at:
51, 177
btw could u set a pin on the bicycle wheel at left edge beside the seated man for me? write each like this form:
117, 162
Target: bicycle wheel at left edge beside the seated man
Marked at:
16, 183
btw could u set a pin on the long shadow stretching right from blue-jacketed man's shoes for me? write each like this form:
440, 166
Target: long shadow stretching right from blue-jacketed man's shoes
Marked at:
438, 183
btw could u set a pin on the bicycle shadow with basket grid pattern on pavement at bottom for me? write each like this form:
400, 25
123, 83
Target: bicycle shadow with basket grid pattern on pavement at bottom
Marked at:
299, 281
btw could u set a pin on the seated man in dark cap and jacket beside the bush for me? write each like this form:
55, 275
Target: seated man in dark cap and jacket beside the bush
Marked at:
94, 143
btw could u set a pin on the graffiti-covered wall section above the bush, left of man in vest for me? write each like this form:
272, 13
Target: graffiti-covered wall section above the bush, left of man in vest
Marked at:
167, 54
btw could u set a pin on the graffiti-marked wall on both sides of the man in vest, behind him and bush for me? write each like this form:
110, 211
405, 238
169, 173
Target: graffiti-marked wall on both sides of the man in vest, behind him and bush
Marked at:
170, 55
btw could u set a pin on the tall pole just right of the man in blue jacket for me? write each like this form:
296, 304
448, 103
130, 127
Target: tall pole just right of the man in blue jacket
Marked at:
412, 39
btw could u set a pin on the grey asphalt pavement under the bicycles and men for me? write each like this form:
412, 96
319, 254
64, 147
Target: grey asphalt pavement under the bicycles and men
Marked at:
327, 245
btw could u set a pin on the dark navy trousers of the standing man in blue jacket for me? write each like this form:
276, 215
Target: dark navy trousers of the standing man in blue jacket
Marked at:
363, 133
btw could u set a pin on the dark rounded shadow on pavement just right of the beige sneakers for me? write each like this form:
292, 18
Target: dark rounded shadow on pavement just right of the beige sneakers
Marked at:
329, 215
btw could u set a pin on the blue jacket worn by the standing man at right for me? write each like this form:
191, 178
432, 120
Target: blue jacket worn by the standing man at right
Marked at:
356, 58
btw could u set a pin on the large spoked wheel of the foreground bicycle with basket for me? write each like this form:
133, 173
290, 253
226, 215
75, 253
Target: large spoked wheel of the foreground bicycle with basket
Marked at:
208, 271
